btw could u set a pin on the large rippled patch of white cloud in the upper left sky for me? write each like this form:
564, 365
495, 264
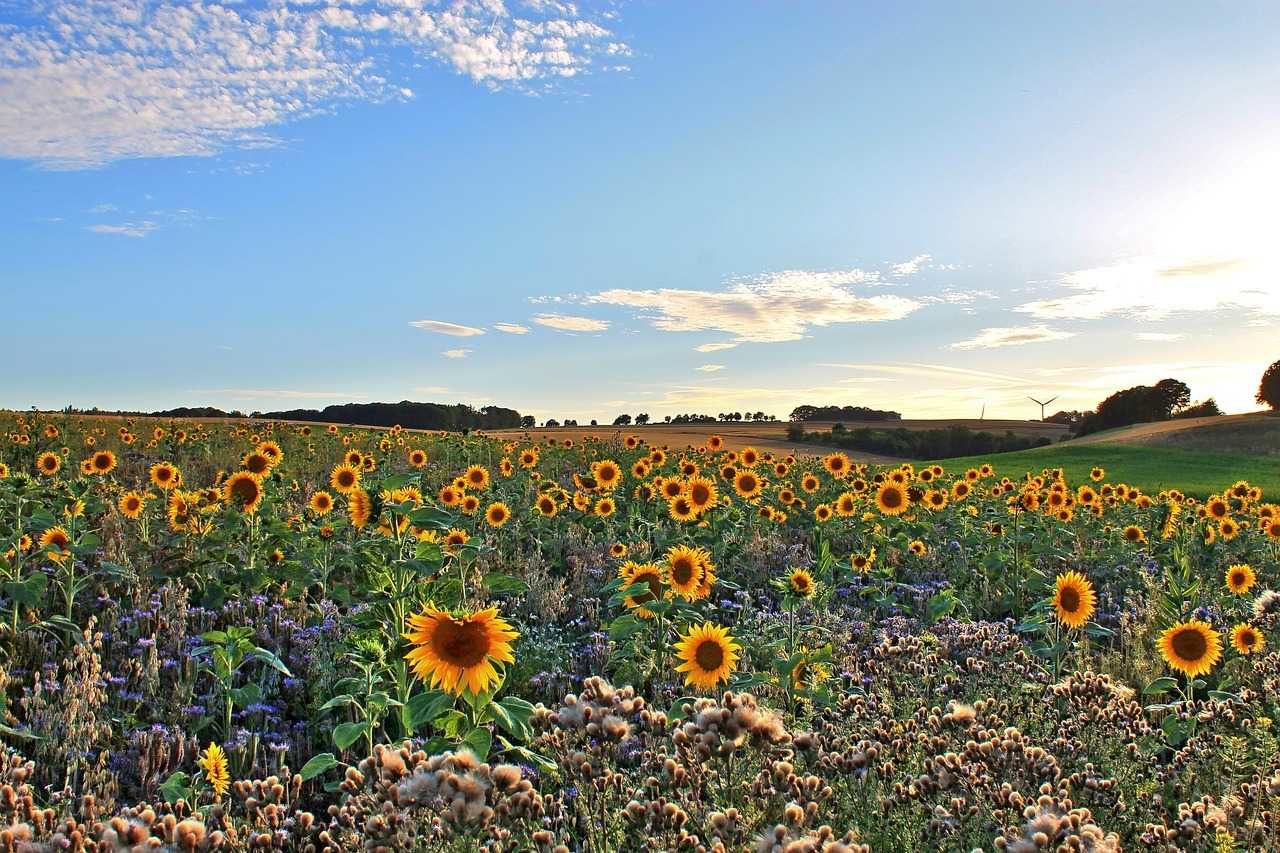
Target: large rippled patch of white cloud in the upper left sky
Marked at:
93, 81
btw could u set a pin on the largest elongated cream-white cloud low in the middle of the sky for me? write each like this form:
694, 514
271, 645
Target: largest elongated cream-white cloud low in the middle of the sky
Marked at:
769, 309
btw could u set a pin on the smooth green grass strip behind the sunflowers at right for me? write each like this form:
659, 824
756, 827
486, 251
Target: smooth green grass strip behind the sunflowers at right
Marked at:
1196, 473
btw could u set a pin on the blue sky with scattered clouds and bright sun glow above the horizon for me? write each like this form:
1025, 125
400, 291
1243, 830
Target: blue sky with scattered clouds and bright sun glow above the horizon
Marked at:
579, 211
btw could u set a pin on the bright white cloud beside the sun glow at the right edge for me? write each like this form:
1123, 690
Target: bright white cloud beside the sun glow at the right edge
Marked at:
1155, 289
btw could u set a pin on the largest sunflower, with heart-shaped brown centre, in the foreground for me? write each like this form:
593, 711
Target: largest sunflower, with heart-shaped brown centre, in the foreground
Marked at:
459, 654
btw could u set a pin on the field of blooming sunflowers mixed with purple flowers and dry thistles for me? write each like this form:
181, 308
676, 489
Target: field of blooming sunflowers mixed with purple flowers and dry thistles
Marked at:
260, 636
